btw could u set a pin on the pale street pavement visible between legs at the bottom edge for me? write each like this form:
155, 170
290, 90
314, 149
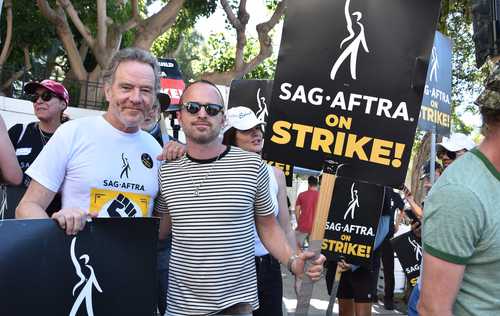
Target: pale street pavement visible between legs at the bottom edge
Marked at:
319, 301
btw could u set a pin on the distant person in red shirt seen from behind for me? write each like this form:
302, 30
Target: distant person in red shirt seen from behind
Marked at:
305, 208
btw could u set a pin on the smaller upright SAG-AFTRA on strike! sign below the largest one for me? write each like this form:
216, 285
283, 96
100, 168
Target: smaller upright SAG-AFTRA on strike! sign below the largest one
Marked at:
352, 222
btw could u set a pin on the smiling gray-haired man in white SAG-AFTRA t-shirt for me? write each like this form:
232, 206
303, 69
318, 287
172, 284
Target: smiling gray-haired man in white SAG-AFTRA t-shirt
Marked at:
103, 166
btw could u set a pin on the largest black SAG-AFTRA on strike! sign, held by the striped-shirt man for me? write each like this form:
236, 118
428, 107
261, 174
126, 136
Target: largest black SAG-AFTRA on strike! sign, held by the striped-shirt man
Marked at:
369, 99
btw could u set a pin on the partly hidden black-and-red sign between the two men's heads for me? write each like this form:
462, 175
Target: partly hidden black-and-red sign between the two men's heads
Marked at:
171, 79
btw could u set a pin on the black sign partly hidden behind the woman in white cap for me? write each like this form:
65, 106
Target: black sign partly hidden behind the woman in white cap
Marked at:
256, 95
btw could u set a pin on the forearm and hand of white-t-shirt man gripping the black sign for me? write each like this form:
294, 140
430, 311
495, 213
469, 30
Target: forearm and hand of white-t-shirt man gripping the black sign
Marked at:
35, 202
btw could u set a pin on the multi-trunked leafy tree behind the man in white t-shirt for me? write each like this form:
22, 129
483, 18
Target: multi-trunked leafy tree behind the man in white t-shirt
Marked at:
92, 31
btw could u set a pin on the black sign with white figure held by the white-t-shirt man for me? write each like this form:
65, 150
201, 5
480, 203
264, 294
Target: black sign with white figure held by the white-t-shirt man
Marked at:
38, 275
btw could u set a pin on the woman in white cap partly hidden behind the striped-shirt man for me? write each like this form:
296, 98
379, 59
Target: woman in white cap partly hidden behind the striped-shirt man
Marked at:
245, 132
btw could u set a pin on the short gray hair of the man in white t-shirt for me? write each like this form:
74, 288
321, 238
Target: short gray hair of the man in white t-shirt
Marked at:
132, 54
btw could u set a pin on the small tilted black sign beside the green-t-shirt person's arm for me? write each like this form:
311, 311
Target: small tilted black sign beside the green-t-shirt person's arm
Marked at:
409, 252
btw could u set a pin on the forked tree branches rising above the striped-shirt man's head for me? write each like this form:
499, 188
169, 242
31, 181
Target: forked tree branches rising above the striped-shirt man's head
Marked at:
239, 66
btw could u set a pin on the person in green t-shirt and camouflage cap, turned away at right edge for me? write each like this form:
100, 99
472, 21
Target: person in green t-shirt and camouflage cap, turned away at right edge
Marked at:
461, 231
